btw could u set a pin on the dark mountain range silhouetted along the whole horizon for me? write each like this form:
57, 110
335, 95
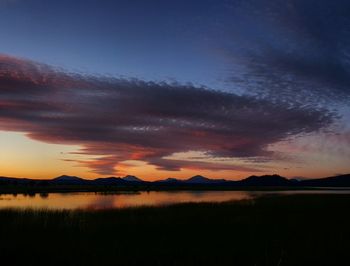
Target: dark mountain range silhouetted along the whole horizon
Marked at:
251, 181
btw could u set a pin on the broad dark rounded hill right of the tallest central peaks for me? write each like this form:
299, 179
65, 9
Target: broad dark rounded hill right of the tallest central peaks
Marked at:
266, 180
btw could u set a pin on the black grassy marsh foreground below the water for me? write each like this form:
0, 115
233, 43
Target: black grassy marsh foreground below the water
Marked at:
274, 230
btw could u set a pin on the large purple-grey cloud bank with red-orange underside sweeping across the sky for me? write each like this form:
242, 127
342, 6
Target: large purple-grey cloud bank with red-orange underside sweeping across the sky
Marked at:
115, 120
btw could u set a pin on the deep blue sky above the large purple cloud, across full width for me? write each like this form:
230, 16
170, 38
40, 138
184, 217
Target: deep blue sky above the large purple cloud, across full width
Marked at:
209, 42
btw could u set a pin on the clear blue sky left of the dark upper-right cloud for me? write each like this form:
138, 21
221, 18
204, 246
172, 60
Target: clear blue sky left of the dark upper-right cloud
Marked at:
148, 39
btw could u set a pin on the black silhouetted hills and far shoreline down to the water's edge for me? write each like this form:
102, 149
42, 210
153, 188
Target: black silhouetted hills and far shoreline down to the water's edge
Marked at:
195, 182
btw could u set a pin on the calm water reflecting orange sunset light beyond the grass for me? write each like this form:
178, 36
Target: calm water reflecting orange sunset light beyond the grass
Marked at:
92, 200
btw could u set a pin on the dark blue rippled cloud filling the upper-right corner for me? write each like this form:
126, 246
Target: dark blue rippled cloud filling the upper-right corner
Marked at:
297, 50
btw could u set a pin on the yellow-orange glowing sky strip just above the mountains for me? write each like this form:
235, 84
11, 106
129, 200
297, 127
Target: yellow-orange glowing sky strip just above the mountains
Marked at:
21, 156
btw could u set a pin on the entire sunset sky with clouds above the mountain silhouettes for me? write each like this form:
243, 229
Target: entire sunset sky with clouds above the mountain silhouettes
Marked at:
157, 89
